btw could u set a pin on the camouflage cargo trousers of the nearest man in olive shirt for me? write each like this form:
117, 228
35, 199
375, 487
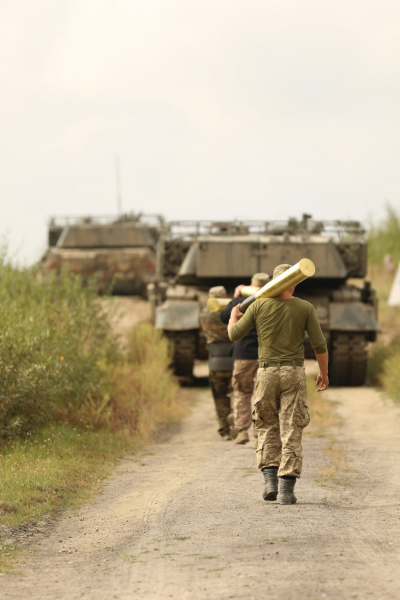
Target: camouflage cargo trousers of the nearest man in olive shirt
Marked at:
280, 415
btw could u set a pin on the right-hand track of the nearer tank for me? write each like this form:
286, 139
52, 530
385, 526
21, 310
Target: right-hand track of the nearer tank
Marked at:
348, 359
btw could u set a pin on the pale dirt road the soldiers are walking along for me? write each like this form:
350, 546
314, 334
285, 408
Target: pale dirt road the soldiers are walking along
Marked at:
186, 520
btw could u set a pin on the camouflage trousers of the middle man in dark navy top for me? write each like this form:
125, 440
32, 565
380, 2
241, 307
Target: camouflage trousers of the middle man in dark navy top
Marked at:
243, 379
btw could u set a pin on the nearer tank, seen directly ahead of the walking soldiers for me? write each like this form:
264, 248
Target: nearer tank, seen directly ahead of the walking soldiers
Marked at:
194, 256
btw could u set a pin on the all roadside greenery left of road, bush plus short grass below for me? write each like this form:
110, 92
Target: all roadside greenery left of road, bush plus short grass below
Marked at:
71, 401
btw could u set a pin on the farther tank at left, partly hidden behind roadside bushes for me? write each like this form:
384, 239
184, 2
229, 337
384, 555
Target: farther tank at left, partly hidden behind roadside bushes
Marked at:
121, 252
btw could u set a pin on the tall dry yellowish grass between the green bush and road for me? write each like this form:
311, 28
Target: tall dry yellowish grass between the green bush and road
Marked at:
141, 392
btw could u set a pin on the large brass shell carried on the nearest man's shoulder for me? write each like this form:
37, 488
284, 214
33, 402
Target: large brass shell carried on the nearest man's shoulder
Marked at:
302, 270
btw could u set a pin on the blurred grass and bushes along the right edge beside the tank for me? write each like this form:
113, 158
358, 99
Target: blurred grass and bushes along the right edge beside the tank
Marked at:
384, 358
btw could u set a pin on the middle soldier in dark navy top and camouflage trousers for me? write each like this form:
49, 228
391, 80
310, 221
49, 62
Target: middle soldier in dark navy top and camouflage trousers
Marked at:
245, 353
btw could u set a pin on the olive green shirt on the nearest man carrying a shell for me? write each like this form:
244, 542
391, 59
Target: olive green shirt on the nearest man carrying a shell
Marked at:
281, 325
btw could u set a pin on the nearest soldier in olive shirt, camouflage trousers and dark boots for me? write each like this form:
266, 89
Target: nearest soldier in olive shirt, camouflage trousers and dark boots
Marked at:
280, 410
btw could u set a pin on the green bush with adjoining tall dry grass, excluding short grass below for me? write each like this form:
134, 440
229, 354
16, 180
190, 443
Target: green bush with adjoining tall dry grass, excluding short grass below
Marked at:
60, 360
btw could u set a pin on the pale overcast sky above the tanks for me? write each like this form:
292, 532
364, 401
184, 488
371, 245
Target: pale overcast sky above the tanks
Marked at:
258, 109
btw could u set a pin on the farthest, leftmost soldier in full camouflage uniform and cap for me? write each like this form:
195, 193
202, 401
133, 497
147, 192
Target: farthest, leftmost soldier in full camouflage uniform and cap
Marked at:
220, 361
